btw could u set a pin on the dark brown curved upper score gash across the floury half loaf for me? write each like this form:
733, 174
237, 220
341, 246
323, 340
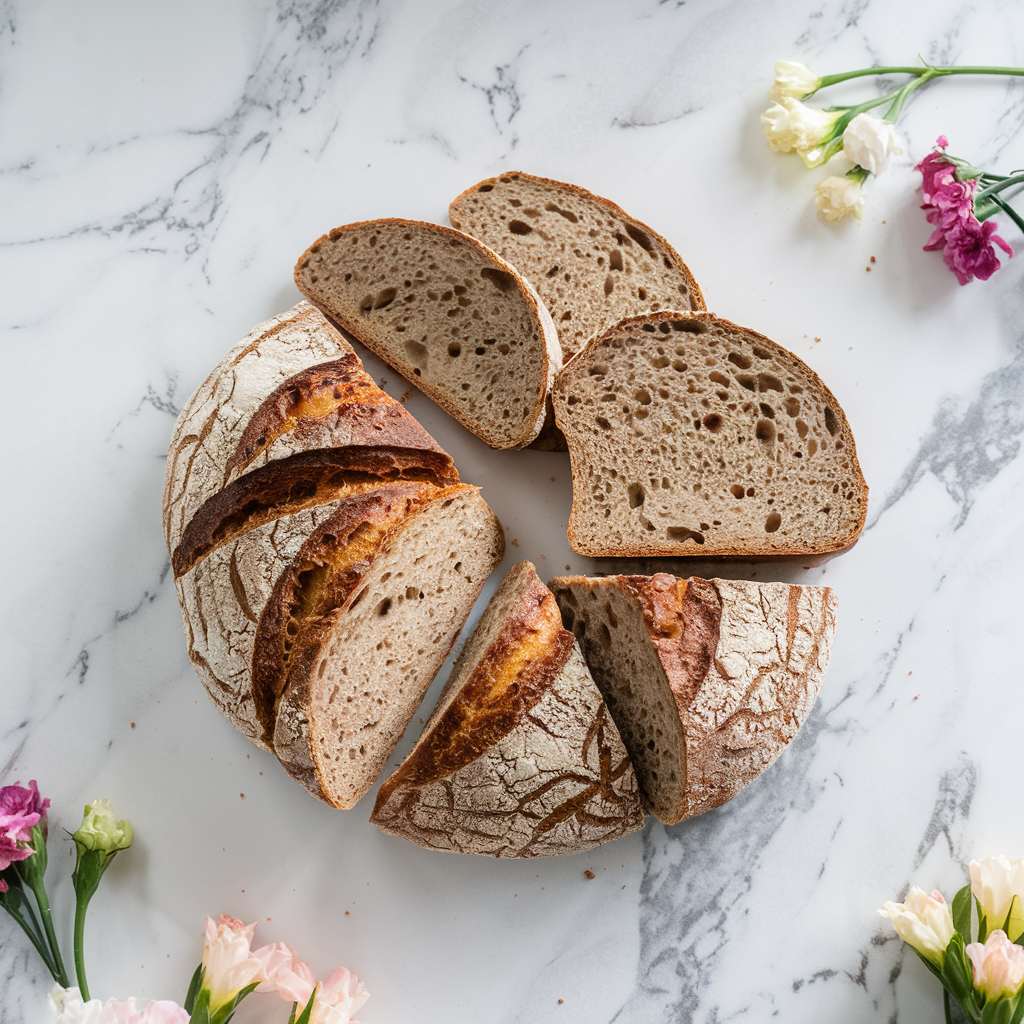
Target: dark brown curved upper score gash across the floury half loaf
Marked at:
303, 482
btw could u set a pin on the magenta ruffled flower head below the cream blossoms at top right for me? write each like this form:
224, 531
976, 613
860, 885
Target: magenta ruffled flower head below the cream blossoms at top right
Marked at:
967, 243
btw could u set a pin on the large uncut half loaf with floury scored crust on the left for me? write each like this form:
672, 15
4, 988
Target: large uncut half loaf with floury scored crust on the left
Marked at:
325, 553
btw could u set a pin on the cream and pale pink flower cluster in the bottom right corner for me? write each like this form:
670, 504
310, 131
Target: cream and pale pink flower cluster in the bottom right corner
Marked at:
985, 977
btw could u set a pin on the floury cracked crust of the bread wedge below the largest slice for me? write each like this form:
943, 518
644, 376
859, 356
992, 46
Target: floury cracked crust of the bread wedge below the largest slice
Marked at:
745, 663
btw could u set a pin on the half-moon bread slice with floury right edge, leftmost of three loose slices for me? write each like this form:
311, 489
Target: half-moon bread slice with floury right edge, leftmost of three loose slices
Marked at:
448, 314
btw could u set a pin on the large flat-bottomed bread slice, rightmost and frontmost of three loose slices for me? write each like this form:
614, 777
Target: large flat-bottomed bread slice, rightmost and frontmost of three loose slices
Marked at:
690, 436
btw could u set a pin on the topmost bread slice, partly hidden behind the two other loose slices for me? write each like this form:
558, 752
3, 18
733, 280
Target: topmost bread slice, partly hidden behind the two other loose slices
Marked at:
591, 263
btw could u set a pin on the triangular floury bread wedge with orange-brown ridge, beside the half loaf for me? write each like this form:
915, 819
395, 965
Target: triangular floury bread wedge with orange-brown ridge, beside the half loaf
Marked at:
520, 758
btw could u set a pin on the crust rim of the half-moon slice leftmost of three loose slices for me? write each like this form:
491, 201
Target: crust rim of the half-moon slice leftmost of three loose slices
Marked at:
358, 328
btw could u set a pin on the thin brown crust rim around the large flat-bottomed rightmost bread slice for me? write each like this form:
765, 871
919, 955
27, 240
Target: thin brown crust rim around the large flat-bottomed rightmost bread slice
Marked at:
655, 546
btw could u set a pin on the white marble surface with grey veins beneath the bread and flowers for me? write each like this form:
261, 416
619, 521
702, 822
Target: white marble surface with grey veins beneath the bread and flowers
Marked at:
161, 168
